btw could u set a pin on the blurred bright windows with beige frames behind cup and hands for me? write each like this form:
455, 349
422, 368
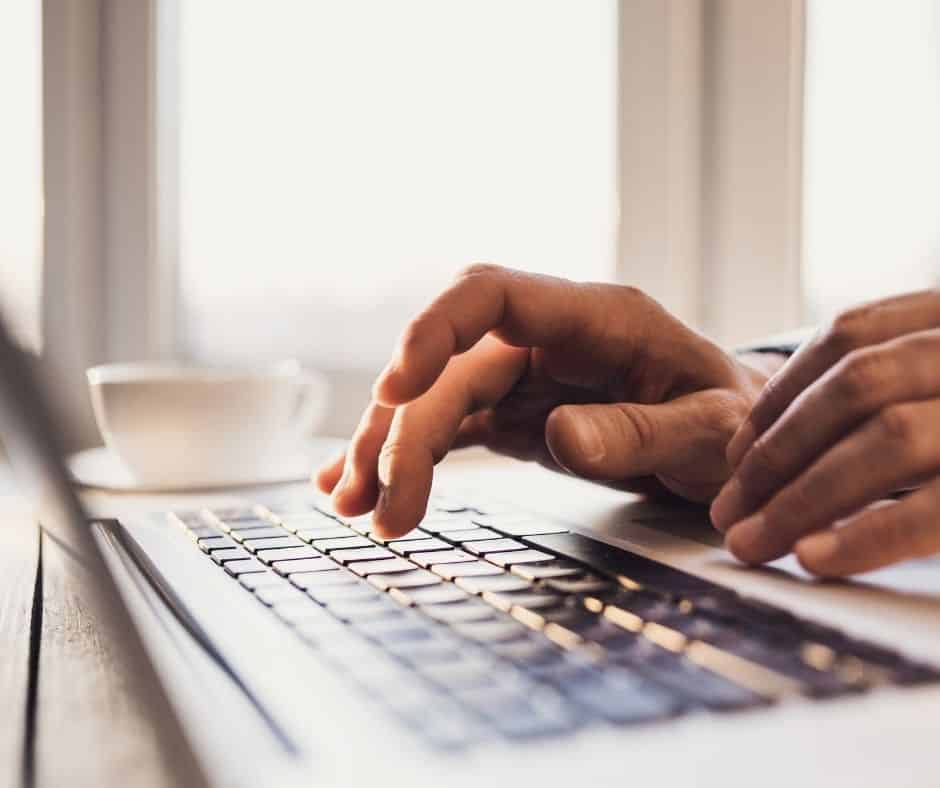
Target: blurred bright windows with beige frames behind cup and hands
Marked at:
240, 181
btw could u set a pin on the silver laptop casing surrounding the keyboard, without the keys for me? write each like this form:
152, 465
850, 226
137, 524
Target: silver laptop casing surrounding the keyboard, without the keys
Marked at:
239, 697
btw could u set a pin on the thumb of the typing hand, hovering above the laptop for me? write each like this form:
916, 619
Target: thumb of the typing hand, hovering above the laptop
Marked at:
624, 440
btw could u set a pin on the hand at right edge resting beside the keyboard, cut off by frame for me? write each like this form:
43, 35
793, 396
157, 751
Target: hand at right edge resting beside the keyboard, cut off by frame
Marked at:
853, 417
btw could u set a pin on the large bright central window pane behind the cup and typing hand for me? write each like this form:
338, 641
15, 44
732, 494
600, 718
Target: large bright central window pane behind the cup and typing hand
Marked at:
340, 161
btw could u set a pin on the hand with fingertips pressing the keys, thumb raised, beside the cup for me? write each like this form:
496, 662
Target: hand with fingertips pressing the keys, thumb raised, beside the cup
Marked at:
596, 379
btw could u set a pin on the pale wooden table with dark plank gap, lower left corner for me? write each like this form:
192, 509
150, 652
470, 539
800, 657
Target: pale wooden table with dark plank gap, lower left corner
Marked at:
69, 710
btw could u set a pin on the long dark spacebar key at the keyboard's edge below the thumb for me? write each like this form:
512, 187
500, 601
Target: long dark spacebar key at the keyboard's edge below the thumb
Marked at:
622, 563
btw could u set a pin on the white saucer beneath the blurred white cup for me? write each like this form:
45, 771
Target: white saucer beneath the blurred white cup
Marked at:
102, 469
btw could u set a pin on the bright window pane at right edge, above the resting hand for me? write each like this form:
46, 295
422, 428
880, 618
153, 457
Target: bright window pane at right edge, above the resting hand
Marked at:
871, 156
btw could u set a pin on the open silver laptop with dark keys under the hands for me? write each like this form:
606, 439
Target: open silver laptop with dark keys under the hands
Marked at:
535, 629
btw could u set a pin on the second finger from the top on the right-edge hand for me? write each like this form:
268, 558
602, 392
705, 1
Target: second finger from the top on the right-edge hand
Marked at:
862, 383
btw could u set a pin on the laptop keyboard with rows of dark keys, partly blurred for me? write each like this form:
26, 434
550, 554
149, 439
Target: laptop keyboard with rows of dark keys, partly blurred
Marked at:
487, 621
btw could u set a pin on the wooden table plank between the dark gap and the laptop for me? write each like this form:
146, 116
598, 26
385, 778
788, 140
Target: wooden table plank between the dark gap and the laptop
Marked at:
99, 721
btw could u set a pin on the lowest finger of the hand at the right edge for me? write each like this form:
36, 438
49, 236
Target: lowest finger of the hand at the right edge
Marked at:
877, 537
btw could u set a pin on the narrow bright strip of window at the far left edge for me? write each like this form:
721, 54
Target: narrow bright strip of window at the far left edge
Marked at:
21, 167
